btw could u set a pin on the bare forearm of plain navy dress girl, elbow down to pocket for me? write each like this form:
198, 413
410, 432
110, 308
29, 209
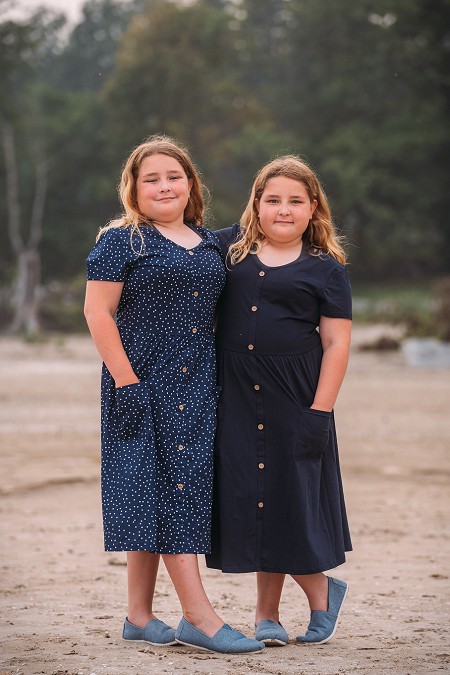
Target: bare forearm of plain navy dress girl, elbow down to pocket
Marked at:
332, 372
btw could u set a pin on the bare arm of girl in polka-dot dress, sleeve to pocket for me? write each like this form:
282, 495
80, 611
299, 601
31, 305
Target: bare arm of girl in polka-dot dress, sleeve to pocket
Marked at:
102, 299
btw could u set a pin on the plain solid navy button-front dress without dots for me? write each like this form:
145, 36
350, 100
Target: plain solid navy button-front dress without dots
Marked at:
278, 501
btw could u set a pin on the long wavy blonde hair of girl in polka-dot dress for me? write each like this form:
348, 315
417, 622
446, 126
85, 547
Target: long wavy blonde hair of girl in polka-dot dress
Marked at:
158, 144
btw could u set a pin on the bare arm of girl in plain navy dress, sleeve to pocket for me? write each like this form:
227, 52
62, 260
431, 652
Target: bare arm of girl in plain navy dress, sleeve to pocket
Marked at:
335, 337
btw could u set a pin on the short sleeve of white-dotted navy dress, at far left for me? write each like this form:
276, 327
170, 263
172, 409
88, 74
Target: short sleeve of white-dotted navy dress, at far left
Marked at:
111, 256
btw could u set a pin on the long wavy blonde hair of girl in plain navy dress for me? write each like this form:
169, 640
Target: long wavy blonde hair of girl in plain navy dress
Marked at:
320, 236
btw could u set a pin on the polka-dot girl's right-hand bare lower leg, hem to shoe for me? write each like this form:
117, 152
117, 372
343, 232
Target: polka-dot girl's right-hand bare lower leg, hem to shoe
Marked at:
197, 609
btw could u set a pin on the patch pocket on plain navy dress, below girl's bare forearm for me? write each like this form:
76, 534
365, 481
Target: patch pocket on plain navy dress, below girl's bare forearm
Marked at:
313, 433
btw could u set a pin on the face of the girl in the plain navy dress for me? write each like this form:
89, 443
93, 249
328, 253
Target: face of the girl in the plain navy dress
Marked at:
284, 210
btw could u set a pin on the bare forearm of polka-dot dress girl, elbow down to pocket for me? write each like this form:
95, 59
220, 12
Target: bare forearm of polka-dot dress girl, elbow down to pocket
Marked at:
107, 339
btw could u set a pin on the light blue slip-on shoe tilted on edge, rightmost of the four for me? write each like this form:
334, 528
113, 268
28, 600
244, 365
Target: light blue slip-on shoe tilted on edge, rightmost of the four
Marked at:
323, 625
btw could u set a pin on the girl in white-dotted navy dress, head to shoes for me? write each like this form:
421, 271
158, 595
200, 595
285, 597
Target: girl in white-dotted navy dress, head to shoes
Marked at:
154, 277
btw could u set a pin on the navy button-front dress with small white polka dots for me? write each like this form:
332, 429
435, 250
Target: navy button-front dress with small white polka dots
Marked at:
158, 434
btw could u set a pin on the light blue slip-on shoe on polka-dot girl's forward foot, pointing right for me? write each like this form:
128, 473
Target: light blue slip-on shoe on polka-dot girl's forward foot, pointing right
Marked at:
227, 640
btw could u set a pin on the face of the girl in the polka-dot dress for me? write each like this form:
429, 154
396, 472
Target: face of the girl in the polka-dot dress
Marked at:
162, 189
